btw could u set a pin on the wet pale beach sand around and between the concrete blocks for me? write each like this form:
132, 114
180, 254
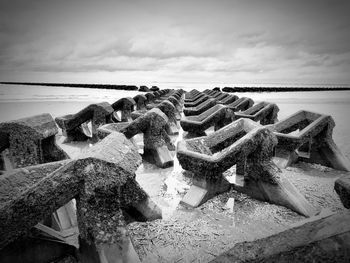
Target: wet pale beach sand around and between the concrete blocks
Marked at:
198, 235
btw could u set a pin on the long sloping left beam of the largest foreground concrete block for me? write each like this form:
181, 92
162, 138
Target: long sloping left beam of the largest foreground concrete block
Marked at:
24, 203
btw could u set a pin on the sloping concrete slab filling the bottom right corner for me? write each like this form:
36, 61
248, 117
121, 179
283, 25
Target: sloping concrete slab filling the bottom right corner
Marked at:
323, 240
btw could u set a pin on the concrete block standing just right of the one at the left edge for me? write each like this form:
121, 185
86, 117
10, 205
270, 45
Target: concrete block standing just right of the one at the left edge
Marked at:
74, 126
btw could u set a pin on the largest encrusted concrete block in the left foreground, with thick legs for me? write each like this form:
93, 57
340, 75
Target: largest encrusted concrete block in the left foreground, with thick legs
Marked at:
103, 182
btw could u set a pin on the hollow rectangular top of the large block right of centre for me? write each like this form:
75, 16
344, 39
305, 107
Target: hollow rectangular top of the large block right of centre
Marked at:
217, 152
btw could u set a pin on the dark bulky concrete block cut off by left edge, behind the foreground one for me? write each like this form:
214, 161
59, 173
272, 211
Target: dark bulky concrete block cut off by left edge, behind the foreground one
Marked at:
31, 140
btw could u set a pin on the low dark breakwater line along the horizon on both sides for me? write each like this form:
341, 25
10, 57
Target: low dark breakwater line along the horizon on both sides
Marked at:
225, 89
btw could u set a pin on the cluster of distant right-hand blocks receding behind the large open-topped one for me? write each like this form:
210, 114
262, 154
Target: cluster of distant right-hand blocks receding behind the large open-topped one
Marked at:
219, 109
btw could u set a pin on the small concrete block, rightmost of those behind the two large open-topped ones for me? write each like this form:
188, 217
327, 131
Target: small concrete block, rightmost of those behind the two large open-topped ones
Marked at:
263, 112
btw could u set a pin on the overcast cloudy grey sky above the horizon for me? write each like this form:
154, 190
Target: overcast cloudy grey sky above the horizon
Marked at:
146, 41
